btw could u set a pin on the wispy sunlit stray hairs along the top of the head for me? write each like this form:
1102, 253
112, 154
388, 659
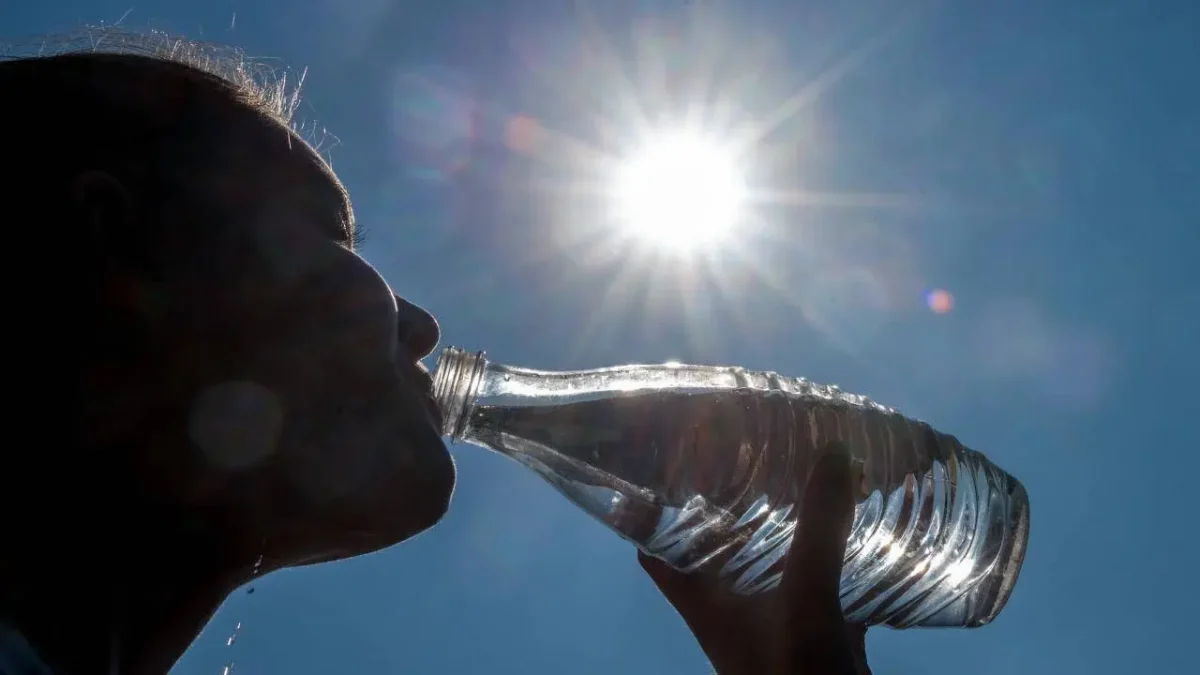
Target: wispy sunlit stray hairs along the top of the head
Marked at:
272, 91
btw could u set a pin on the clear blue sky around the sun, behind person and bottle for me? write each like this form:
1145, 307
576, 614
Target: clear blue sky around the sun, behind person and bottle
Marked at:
1037, 160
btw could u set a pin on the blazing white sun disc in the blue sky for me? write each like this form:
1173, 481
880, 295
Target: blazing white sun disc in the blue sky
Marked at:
681, 193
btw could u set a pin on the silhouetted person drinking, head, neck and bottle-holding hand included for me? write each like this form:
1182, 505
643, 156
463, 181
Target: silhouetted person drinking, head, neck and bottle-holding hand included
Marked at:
235, 390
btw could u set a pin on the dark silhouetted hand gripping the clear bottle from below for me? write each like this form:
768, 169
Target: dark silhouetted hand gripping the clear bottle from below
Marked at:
799, 629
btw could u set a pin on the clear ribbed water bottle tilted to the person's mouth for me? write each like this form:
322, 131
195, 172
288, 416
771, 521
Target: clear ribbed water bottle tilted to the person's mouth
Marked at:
706, 465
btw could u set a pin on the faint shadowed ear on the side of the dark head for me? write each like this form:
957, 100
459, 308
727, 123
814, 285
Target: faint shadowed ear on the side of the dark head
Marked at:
110, 218
